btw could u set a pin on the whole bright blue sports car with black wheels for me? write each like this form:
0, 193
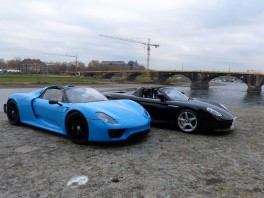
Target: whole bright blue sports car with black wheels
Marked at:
83, 114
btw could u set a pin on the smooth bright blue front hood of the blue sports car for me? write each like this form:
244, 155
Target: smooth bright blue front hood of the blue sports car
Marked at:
117, 109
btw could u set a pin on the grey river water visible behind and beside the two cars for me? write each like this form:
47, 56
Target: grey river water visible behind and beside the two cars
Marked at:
229, 94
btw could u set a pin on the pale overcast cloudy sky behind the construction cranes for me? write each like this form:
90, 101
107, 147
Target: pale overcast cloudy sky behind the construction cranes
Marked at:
193, 34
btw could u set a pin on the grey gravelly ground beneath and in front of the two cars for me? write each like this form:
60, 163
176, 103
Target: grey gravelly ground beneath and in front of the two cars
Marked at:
165, 163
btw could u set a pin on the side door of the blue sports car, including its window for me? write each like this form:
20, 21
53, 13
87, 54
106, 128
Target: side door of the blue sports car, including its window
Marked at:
47, 113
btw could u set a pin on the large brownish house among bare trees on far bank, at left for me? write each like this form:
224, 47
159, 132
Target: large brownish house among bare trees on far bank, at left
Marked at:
32, 66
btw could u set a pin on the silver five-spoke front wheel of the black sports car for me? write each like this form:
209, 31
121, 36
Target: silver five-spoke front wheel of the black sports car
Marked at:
188, 121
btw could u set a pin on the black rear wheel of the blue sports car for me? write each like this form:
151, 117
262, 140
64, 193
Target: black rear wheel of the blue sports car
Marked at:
13, 112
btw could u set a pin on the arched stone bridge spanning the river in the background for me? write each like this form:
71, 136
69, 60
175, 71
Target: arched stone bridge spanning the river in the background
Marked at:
199, 79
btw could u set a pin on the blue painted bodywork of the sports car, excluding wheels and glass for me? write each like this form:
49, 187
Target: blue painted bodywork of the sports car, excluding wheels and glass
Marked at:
129, 115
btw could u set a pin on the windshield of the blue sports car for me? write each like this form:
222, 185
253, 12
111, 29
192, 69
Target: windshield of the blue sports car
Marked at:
82, 95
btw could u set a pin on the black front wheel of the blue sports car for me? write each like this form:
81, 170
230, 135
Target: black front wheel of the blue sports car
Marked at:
77, 128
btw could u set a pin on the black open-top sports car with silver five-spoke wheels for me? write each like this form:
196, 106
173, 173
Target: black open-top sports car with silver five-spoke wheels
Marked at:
168, 105
